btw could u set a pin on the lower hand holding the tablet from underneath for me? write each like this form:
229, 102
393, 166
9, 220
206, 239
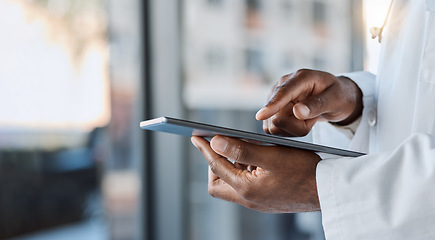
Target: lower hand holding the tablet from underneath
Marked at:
265, 178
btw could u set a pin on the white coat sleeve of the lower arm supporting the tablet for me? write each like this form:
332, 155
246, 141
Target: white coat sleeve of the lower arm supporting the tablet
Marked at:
380, 196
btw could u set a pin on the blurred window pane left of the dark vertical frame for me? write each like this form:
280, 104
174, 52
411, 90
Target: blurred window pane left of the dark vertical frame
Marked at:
69, 101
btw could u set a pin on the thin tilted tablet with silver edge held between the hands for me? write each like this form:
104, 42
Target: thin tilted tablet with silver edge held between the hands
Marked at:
189, 128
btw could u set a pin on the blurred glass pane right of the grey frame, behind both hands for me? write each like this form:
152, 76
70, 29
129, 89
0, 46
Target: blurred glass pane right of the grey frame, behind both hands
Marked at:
232, 54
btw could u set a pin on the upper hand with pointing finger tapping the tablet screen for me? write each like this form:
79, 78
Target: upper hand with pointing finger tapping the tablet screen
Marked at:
301, 99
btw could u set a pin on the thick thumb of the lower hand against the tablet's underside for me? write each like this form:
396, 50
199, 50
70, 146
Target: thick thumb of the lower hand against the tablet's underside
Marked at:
241, 152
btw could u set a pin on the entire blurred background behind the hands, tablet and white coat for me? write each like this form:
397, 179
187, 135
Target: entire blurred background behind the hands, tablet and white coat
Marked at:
77, 77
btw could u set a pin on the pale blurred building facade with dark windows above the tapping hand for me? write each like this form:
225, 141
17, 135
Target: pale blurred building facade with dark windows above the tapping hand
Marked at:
242, 47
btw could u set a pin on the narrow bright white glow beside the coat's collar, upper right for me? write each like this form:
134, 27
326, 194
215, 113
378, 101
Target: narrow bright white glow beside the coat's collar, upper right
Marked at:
375, 13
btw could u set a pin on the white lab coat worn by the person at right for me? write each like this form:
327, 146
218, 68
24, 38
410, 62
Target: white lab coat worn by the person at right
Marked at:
389, 193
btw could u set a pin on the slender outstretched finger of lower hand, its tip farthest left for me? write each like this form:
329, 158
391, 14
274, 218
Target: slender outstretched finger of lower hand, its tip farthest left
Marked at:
218, 164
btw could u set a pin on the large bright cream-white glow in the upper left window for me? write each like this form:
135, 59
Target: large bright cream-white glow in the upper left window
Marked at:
41, 86
